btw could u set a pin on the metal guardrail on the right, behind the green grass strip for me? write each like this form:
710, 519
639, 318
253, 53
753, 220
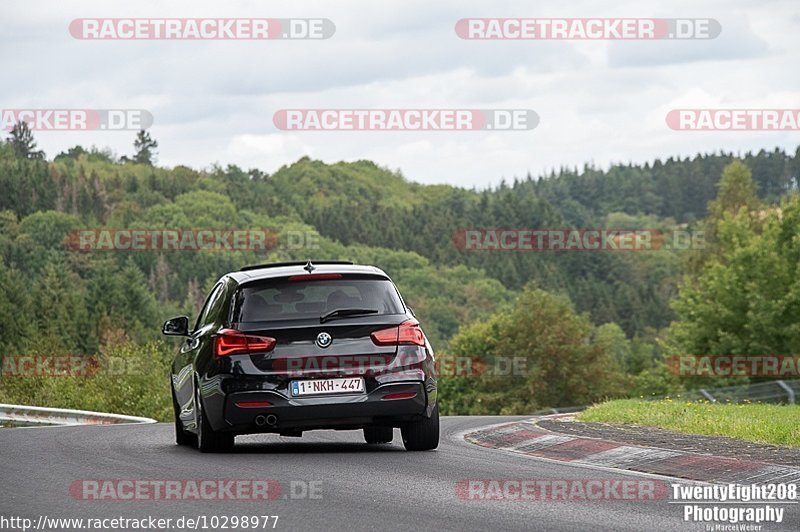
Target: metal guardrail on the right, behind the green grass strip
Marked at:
785, 392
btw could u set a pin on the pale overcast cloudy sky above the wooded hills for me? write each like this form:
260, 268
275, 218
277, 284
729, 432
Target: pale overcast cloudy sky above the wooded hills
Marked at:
598, 101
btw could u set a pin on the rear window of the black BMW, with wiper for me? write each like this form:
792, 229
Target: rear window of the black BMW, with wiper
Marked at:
289, 300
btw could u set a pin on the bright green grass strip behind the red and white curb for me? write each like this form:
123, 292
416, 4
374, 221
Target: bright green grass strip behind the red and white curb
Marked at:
763, 423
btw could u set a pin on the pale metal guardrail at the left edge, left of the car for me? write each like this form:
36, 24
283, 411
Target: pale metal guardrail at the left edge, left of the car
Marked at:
37, 415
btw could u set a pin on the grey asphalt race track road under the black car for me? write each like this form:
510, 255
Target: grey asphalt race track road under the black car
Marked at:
356, 487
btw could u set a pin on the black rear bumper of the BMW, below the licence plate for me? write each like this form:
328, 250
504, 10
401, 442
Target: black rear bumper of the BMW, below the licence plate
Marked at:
330, 411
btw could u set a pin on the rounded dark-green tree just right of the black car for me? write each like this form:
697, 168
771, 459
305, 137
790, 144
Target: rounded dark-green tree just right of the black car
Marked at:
567, 361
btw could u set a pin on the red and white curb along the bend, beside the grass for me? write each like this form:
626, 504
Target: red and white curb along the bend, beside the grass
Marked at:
525, 437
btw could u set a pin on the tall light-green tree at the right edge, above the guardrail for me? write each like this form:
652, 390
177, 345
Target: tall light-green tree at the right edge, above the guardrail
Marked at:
746, 298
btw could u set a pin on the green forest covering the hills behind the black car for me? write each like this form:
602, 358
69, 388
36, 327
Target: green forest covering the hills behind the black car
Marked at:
589, 325
